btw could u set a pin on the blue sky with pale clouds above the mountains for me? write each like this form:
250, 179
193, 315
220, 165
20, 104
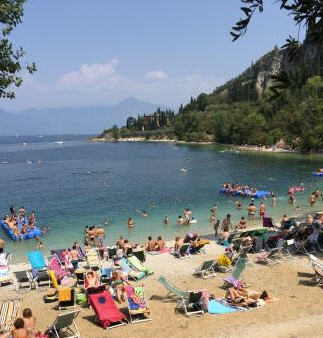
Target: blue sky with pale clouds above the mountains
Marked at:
100, 52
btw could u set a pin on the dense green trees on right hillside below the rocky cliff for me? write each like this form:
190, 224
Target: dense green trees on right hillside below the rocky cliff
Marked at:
296, 117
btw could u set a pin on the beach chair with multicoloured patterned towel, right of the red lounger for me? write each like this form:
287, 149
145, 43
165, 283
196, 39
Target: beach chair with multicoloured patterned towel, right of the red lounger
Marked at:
137, 305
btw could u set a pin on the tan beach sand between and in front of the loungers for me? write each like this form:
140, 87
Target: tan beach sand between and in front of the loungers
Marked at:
297, 312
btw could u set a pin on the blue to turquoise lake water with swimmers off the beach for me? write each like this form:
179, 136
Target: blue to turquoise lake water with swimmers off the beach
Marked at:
77, 183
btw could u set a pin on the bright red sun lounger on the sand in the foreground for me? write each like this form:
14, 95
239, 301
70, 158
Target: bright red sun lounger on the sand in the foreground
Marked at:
106, 310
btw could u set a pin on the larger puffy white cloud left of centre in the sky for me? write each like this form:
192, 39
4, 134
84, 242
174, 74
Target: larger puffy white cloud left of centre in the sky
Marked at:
97, 74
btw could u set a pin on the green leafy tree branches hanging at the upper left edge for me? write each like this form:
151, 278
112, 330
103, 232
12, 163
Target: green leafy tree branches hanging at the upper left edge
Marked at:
11, 13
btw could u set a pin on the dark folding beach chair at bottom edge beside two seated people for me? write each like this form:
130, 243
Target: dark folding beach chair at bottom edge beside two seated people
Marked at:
65, 326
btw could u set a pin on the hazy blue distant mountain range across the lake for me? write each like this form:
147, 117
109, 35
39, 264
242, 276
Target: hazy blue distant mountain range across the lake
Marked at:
71, 120
